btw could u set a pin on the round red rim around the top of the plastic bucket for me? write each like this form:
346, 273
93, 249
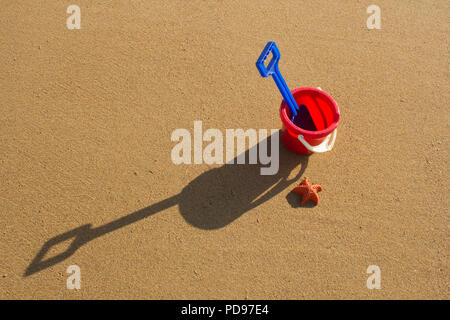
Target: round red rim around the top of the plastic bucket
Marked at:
307, 133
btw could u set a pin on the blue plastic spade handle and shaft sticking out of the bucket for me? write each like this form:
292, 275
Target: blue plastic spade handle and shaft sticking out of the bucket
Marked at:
273, 70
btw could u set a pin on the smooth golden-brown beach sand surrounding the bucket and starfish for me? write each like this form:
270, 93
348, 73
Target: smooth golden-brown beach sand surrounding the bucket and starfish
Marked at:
86, 176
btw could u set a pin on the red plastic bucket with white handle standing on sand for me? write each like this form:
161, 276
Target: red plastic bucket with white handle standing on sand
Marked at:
324, 113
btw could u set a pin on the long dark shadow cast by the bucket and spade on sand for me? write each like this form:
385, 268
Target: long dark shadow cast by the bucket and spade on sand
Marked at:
212, 200
